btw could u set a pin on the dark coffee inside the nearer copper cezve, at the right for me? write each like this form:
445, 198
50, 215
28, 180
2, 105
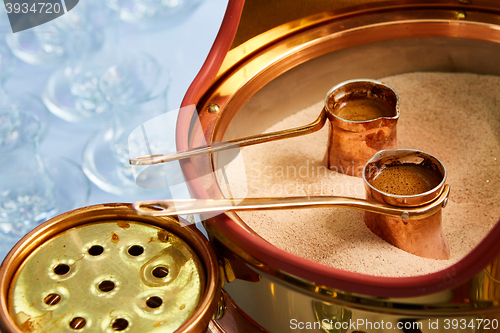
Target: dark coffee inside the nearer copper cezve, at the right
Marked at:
406, 179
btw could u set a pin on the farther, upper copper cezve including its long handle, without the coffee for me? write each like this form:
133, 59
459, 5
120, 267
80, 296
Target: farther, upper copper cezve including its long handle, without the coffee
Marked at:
351, 142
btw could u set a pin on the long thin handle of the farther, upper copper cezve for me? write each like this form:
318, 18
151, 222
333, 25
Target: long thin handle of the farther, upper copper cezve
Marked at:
220, 146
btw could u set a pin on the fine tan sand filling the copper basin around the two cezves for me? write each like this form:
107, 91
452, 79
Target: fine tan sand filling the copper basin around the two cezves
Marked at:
455, 117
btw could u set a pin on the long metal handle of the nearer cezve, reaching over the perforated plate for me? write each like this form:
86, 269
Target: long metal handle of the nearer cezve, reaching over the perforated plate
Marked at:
197, 206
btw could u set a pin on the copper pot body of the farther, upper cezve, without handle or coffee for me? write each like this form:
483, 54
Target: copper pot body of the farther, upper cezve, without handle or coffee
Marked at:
352, 143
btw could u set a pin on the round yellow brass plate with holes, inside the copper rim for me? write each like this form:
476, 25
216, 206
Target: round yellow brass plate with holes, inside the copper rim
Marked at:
114, 276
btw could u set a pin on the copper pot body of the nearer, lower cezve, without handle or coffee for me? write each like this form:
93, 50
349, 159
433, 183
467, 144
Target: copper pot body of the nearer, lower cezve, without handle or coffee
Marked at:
424, 237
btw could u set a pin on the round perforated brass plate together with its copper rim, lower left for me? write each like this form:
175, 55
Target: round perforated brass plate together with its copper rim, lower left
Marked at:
129, 227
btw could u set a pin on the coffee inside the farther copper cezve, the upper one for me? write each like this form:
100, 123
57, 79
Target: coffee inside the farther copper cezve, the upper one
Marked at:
364, 109
